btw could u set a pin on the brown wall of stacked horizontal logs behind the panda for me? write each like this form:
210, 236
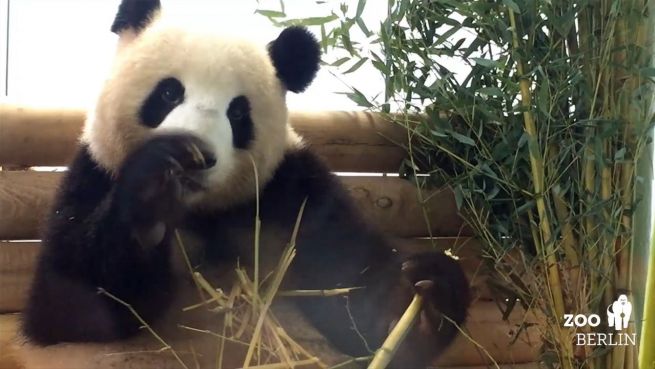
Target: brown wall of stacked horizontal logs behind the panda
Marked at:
347, 141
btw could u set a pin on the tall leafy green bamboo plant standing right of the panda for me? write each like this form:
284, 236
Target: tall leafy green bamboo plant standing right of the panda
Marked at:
539, 138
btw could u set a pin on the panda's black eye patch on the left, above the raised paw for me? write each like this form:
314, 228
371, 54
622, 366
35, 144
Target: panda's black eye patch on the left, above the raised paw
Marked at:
168, 94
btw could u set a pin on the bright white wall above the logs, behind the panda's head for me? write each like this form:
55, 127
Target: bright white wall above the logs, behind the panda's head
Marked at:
59, 50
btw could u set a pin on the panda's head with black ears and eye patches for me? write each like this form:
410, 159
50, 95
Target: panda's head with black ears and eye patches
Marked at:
170, 78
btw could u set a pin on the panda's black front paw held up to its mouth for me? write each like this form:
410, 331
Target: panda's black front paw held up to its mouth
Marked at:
156, 177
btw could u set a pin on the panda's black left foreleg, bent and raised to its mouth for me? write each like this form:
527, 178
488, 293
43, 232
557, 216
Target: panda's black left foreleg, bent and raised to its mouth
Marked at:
113, 235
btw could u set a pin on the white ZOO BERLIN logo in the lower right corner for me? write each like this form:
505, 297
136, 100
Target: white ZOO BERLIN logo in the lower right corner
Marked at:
618, 317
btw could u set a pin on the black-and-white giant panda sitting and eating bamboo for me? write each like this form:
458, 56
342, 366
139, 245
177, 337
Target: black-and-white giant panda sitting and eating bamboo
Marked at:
186, 126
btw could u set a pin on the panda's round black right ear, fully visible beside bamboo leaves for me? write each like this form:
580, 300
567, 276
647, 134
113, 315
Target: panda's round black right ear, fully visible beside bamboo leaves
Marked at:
296, 55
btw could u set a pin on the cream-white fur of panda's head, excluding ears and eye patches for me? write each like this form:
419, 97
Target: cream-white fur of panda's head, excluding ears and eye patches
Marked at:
213, 69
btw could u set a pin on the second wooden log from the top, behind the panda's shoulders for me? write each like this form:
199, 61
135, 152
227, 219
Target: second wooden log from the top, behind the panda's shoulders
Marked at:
387, 202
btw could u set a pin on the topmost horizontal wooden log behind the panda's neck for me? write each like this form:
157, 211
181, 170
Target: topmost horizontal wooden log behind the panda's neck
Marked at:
348, 141
